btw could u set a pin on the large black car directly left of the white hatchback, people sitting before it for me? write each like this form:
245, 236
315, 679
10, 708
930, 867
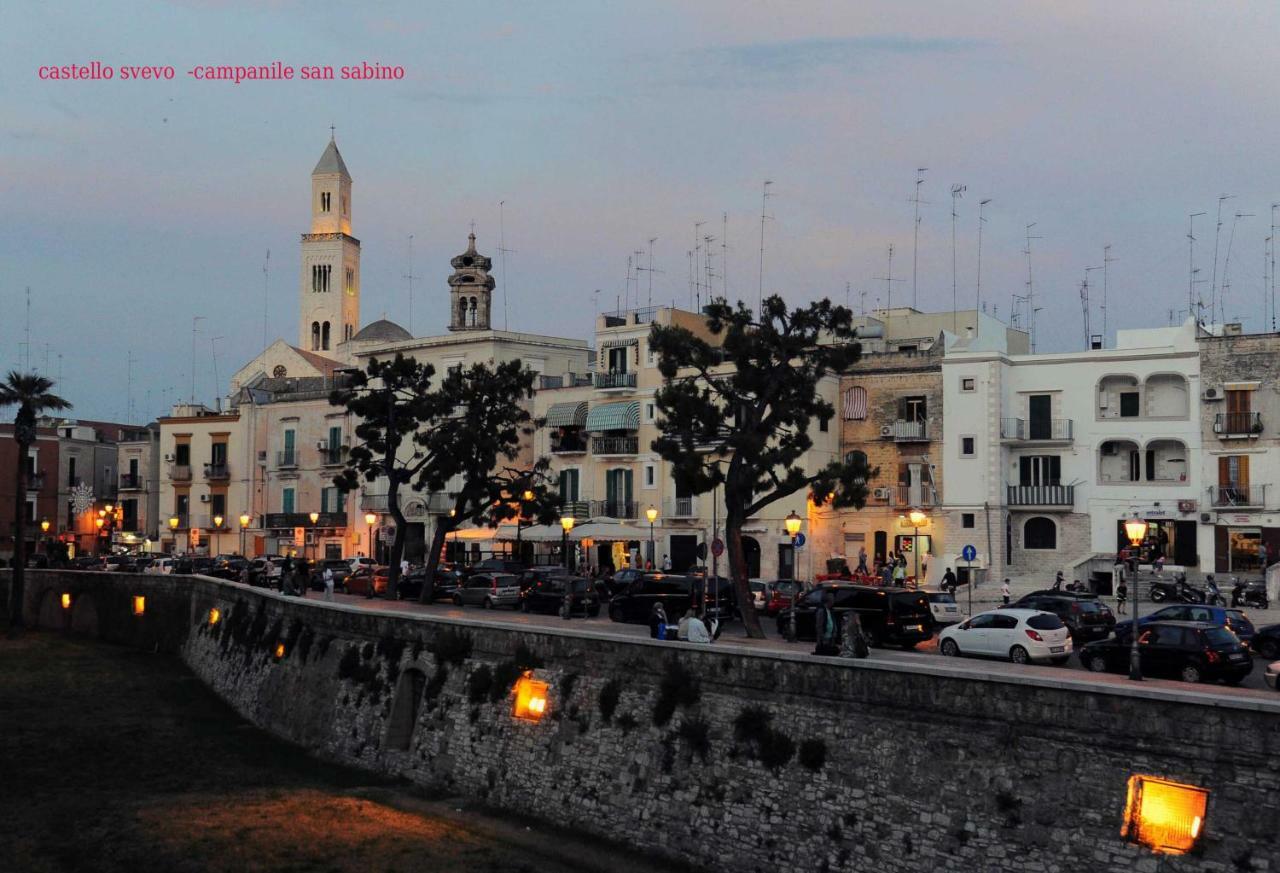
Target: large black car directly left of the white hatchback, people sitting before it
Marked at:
890, 616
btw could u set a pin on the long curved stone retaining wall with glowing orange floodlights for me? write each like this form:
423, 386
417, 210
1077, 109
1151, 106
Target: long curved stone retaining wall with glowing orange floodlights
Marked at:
719, 760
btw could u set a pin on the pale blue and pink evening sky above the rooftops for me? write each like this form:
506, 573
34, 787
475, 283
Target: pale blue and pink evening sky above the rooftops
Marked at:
136, 205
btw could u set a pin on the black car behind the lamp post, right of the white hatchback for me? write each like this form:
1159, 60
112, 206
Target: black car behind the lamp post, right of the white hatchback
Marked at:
1194, 652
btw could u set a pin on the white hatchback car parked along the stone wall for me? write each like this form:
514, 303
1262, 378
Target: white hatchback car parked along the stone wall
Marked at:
1021, 636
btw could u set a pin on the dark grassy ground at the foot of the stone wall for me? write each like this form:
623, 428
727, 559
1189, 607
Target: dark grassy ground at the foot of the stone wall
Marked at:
113, 760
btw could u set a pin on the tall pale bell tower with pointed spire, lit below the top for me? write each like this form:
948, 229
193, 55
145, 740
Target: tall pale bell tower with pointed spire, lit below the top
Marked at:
330, 290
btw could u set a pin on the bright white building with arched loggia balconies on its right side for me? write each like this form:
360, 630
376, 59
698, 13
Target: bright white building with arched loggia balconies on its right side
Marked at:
1048, 455
